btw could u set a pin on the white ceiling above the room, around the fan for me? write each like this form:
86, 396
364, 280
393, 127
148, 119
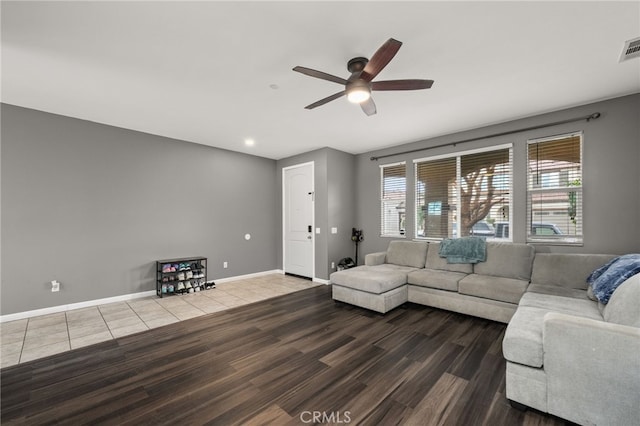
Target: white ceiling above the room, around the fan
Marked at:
204, 71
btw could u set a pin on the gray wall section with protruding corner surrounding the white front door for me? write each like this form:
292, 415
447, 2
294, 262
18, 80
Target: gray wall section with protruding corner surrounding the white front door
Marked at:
334, 177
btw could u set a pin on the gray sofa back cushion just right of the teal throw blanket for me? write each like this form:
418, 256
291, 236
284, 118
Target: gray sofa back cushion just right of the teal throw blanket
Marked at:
509, 260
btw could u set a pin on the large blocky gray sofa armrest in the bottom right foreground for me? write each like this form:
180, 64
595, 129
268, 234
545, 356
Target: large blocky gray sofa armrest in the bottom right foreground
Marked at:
592, 369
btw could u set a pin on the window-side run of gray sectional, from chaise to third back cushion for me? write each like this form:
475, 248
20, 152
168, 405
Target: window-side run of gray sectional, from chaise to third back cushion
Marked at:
414, 271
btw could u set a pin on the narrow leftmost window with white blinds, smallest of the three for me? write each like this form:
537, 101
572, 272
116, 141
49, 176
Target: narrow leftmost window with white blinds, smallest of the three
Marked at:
393, 191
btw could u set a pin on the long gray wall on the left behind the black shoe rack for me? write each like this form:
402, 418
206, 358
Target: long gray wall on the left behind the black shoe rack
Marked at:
94, 206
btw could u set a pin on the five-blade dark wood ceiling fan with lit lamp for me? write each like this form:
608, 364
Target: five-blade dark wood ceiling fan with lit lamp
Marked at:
359, 85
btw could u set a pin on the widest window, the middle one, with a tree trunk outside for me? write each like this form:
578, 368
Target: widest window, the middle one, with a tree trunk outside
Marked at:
465, 194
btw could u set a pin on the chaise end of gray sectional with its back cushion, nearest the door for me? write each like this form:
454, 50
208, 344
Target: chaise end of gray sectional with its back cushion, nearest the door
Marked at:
381, 284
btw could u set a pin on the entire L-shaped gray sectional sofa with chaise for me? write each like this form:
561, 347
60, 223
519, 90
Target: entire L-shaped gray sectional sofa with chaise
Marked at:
566, 354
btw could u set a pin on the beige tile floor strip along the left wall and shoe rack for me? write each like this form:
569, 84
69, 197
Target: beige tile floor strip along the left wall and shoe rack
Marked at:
31, 338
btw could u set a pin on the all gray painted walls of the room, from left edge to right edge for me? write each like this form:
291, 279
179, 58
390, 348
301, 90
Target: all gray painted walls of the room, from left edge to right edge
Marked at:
94, 206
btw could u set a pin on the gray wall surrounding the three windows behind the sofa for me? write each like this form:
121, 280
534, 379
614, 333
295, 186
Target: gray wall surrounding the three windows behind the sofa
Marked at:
611, 175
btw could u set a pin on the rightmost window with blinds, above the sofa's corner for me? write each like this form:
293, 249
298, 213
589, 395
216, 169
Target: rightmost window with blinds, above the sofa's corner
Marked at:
554, 190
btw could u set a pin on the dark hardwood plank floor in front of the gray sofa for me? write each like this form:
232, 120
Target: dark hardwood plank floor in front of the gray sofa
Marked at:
293, 360
